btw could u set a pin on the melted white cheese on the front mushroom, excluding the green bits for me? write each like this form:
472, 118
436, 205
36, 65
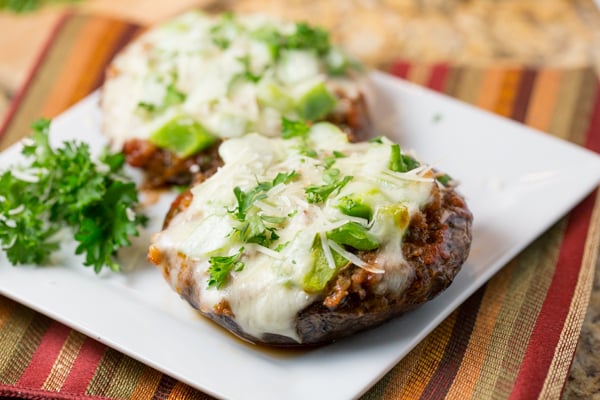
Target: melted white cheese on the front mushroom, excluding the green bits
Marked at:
267, 294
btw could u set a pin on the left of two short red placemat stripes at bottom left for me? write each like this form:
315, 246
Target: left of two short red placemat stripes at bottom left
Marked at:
44, 357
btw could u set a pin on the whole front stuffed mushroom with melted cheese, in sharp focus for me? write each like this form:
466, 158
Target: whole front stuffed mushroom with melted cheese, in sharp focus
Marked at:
307, 238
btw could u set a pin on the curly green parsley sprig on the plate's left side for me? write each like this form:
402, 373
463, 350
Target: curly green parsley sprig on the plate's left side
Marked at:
63, 187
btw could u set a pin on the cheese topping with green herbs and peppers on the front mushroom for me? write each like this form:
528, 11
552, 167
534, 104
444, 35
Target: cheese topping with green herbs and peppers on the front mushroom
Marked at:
285, 215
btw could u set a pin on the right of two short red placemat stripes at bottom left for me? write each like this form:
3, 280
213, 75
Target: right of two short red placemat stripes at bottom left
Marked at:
85, 366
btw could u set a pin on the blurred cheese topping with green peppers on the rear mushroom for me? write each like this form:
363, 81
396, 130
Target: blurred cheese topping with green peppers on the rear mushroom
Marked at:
230, 74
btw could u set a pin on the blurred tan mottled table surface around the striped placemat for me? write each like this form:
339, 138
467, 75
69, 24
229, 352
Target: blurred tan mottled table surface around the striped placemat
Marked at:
557, 33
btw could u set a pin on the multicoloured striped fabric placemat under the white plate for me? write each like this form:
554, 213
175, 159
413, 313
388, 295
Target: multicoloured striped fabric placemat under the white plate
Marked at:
514, 338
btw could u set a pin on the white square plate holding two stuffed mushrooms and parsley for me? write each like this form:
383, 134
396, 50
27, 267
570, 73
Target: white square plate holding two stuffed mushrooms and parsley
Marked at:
517, 182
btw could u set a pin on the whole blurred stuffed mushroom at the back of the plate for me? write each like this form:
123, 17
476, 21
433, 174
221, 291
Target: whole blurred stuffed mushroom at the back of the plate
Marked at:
175, 92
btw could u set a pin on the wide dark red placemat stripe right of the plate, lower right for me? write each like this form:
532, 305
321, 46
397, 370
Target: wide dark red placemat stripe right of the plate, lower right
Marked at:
551, 319
